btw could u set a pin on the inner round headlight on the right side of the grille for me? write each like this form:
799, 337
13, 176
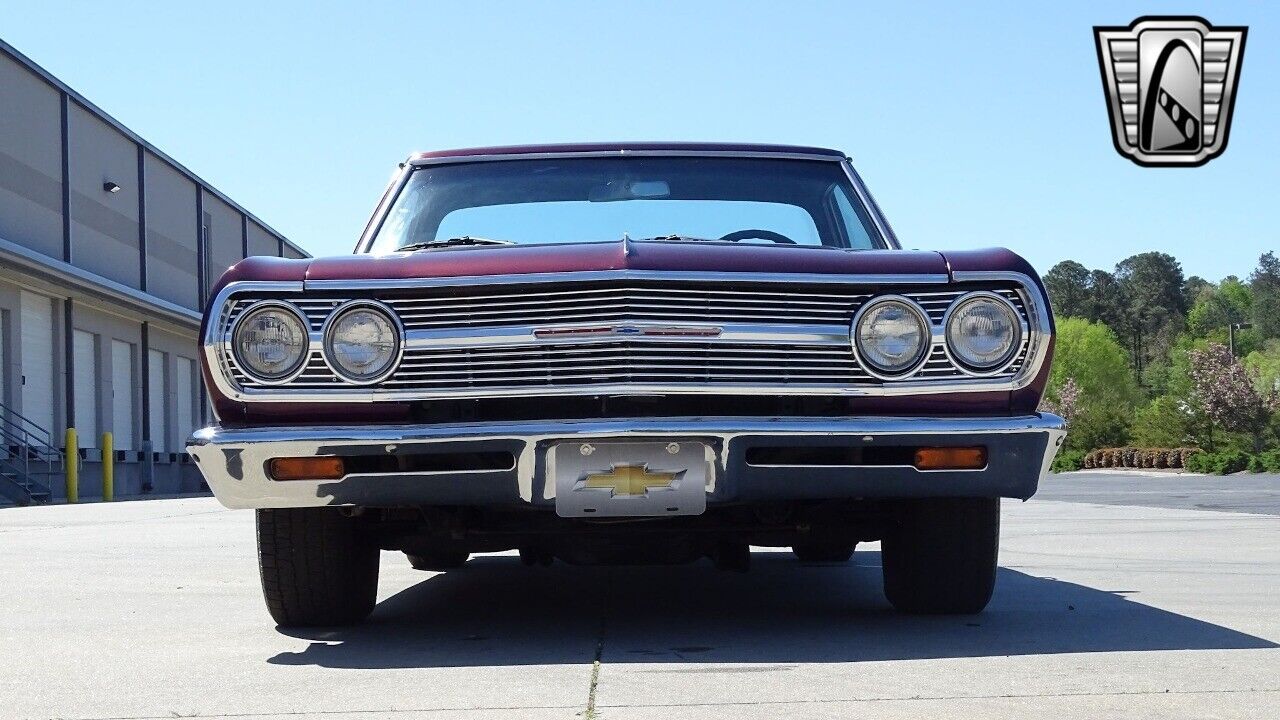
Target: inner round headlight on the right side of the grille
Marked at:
892, 336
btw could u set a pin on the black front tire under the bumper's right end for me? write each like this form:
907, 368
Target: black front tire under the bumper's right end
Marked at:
940, 558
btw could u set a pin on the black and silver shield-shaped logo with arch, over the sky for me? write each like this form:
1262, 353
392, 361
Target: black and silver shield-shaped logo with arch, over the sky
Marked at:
1171, 86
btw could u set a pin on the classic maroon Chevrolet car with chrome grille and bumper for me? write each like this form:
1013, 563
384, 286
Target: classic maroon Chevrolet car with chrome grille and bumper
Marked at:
621, 354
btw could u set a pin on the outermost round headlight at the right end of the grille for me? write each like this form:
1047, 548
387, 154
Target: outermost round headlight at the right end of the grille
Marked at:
984, 332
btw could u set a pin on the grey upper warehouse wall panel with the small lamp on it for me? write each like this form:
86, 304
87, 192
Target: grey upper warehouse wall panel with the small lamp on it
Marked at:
104, 225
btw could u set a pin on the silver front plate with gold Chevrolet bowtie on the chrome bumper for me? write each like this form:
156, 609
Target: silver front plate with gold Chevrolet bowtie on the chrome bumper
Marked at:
629, 480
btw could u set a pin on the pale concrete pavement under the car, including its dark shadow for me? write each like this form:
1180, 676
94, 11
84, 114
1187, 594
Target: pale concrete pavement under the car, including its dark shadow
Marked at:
153, 610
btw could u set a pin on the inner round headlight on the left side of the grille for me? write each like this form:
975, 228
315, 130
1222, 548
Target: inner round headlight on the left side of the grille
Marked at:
362, 343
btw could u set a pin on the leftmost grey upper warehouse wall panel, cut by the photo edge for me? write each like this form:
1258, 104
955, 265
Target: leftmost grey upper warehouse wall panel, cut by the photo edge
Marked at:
31, 185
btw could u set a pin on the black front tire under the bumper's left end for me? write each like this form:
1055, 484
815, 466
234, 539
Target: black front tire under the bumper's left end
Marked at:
319, 567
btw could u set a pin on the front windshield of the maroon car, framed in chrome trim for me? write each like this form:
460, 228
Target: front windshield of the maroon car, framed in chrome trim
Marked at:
744, 200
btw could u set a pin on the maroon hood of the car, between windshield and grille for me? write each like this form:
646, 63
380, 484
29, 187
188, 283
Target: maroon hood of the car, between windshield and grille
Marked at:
630, 256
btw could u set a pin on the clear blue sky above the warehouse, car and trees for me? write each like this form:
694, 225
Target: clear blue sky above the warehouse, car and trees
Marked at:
973, 126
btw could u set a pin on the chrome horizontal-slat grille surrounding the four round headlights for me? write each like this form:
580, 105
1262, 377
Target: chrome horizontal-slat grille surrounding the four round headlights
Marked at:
445, 357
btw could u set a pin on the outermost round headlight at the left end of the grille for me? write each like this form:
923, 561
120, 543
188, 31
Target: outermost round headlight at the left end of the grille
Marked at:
271, 341
